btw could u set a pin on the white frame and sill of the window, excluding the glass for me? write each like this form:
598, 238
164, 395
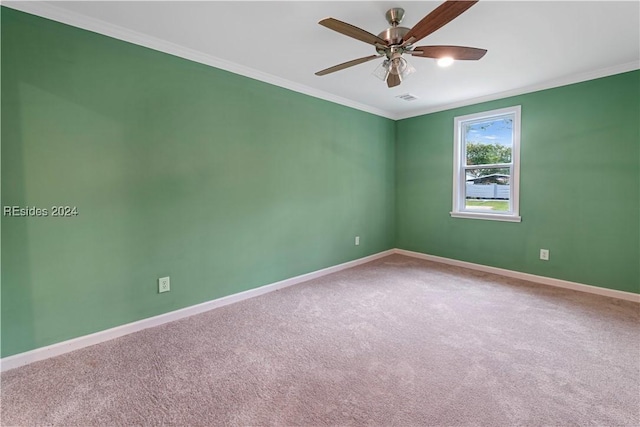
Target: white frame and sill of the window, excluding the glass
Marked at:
459, 164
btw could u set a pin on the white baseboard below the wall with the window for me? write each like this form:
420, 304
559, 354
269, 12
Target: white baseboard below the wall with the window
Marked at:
612, 293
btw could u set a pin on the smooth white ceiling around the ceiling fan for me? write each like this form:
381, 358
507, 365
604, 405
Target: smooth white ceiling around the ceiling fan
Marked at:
531, 45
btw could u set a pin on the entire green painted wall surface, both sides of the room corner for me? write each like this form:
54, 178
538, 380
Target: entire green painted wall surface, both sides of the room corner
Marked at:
225, 183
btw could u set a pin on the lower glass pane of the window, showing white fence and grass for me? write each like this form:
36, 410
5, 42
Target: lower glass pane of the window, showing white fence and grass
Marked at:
488, 189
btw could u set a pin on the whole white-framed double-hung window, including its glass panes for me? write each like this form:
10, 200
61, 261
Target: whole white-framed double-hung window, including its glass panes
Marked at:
486, 165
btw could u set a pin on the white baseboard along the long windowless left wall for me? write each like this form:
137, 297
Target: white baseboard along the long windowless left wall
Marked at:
63, 347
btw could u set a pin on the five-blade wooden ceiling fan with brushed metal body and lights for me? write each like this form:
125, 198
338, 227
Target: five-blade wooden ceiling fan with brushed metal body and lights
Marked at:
395, 41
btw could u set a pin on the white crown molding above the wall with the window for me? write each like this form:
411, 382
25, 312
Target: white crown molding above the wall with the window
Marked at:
549, 84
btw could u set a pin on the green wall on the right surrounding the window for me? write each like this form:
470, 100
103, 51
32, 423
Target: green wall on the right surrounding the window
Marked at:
579, 190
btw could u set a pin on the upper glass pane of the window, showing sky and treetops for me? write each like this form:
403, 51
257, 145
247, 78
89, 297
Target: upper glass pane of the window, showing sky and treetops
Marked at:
489, 141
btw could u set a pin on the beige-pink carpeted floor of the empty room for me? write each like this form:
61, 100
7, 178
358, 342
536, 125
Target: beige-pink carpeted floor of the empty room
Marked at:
398, 341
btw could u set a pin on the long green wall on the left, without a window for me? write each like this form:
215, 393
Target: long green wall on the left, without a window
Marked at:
221, 182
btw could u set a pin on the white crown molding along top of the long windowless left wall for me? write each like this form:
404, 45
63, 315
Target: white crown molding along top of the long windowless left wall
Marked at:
49, 11
